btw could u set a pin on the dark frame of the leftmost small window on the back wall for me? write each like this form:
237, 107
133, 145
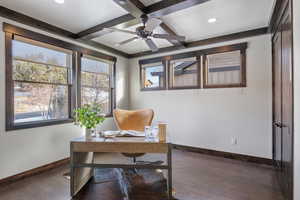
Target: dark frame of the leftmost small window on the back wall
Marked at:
150, 62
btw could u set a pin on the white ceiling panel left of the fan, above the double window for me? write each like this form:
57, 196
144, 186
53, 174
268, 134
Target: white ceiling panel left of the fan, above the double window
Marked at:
73, 15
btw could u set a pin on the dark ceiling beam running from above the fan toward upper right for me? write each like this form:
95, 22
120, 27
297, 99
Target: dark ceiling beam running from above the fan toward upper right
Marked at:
166, 7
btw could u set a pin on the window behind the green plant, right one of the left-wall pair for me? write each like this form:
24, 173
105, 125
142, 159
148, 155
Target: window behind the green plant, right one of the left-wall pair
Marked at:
96, 83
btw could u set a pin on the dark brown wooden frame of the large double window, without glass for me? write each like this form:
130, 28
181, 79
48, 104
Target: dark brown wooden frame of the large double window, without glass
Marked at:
10, 32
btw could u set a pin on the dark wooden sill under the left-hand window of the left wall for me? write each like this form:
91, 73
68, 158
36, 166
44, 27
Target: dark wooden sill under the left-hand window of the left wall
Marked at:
27, 125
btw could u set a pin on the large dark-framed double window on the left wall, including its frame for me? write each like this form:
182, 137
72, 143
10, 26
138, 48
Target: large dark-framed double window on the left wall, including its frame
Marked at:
43, 76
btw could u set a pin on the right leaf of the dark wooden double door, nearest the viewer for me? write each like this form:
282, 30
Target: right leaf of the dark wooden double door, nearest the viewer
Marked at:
287, 105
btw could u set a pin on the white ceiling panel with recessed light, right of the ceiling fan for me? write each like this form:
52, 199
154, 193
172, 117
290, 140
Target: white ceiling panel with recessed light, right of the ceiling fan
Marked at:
232, 16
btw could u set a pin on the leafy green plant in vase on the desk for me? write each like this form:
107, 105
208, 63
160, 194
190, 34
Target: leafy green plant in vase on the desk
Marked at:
88, 117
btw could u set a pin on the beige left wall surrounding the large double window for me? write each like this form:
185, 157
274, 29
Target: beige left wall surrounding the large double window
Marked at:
30, 148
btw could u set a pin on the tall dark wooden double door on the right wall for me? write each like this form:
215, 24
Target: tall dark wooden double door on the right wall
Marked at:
283, 102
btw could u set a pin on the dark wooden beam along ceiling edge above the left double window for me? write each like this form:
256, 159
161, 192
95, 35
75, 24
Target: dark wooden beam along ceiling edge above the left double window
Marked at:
29, 21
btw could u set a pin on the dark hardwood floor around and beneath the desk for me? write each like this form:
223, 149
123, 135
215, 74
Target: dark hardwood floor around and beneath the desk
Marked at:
196, 177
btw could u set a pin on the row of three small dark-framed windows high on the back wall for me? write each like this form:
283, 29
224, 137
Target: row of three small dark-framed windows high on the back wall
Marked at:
219, 67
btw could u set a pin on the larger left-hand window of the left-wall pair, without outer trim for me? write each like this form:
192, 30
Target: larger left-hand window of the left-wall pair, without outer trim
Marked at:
42, 79
